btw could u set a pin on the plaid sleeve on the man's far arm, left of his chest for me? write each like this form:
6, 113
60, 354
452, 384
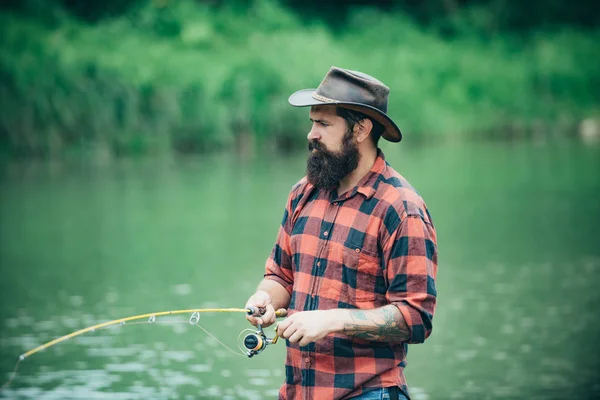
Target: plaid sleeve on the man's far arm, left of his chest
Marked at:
279, 264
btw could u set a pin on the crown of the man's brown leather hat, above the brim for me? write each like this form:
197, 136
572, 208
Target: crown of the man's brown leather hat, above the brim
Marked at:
343, 85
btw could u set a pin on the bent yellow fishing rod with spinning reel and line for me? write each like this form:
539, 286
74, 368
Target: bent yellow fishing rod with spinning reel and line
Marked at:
254, 342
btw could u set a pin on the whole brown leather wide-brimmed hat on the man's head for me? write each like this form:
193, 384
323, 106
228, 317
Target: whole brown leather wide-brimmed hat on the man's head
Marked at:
353, 90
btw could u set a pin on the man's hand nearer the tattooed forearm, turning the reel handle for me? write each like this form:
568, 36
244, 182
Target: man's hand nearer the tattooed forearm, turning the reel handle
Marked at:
307, 326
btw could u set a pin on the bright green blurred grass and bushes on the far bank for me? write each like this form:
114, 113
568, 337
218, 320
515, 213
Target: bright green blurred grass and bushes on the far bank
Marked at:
191, 77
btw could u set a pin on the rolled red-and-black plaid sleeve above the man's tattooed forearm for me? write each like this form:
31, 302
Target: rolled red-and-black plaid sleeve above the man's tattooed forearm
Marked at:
410, 254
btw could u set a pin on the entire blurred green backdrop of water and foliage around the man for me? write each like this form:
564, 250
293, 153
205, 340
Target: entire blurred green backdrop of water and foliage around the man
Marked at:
147, 149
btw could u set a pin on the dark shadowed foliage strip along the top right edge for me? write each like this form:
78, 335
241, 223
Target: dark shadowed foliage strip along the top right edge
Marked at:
482, 17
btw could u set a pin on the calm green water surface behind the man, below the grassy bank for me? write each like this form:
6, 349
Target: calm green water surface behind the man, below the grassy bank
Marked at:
83, 243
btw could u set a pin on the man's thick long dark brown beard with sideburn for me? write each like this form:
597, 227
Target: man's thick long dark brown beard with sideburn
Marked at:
325, 169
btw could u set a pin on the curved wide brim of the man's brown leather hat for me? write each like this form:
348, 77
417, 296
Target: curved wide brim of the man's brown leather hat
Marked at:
391, 132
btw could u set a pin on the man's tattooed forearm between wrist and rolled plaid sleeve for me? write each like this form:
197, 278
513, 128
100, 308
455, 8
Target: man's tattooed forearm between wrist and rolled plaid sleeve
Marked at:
383, 324
